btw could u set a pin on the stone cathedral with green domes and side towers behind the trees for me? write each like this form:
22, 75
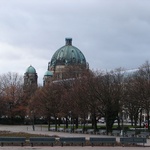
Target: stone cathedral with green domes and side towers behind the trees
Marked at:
65, 57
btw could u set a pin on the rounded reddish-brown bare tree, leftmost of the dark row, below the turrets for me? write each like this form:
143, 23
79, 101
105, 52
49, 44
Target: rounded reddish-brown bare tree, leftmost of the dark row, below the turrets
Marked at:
46, 102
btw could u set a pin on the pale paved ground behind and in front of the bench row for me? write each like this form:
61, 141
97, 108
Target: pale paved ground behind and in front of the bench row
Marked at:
43, 131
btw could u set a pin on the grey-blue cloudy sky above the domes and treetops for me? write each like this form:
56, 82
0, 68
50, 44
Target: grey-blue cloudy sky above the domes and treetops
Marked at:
110, 33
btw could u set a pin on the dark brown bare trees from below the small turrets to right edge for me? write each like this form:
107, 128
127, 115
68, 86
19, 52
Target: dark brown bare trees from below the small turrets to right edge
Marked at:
100, 95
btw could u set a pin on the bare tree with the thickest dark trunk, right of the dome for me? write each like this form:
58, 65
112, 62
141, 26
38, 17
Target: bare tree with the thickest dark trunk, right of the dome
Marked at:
109, 92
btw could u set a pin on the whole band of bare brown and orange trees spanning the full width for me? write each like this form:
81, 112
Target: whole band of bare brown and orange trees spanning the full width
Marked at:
100, 94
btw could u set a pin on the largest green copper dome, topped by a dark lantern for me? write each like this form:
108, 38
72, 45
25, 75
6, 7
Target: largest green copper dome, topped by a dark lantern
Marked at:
68, 55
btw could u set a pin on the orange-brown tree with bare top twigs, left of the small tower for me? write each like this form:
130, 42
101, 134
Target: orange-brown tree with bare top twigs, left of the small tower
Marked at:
12, 91
